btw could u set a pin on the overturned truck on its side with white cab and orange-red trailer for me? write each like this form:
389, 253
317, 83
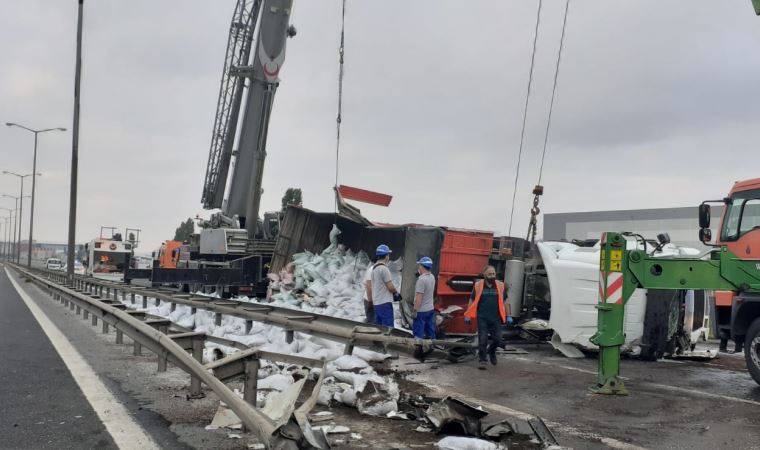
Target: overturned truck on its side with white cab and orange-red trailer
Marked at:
553, 286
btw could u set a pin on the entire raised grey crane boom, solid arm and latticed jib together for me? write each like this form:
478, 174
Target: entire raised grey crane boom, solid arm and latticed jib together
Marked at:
260, 76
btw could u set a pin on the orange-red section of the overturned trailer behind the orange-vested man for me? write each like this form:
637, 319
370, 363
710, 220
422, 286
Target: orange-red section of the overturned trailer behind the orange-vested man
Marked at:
464, 253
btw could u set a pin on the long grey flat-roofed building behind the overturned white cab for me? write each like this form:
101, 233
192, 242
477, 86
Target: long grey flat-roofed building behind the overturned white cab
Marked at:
680, 223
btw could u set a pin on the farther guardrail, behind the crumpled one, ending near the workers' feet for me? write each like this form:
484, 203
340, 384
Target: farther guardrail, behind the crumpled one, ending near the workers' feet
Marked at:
349, 332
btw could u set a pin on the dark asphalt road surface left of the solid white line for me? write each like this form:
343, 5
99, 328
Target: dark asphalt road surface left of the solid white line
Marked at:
42, 406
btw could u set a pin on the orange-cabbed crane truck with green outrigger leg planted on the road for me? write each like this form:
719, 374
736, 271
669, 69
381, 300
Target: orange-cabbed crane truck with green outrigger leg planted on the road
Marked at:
731, 268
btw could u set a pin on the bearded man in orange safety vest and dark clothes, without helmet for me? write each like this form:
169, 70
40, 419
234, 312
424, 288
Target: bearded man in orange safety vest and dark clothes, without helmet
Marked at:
488, 304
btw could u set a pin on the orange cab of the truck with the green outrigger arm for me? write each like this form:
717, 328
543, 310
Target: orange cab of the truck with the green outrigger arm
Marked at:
736, 312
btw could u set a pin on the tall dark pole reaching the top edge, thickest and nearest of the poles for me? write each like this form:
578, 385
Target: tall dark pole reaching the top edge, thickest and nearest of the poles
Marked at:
75, 151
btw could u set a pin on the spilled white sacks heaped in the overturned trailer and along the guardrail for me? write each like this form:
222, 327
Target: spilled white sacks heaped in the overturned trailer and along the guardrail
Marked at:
329, 283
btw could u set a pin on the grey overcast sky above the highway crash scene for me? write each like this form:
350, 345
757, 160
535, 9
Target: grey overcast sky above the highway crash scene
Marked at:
657, 105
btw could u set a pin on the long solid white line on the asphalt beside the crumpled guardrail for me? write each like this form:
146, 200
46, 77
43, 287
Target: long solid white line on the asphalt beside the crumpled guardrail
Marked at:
126, 433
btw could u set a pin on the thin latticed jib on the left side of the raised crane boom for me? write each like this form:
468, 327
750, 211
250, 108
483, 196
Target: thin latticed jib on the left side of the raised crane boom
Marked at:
228, 106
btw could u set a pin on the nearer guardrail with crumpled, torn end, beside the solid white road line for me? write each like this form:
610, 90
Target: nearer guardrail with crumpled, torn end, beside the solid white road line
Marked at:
285, 427
